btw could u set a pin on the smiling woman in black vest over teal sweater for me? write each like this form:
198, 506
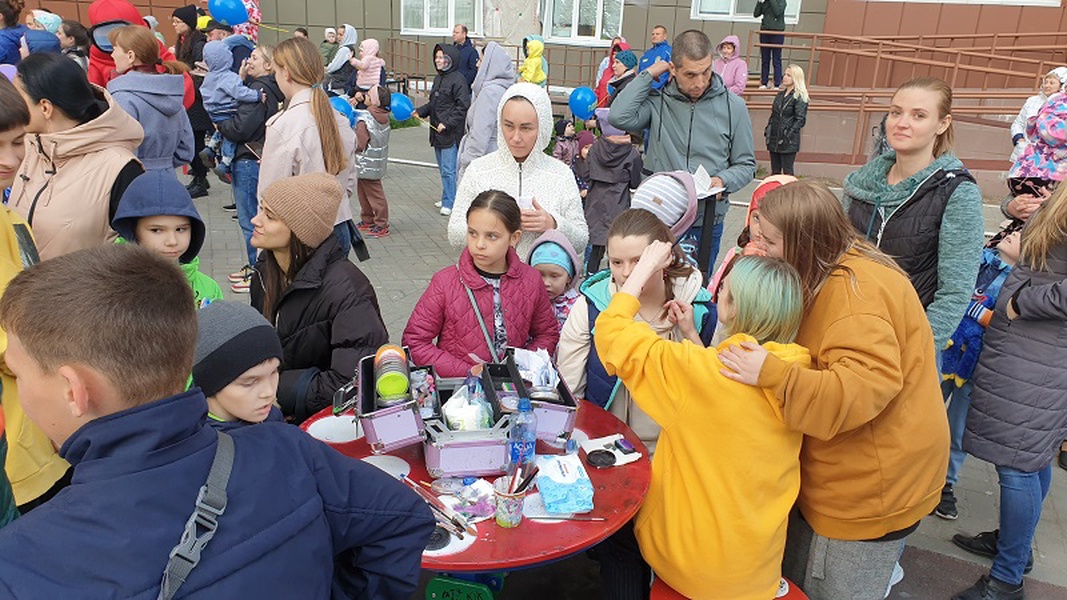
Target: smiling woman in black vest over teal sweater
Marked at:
919, 204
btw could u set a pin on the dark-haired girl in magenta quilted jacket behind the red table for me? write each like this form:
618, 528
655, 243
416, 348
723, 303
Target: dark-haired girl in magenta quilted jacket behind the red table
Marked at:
489, 301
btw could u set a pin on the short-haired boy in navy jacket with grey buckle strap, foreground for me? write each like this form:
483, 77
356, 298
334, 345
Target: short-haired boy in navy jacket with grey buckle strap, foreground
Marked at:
103, 372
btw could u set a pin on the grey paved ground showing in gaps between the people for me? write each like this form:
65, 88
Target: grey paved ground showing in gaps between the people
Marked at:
401, 269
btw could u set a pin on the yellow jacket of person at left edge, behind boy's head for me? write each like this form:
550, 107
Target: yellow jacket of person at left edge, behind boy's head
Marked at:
34, 466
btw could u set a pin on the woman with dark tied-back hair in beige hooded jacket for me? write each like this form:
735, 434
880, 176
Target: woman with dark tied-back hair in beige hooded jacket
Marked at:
79, 157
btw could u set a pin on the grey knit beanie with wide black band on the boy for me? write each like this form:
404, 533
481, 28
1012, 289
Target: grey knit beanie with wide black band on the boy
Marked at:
233, 339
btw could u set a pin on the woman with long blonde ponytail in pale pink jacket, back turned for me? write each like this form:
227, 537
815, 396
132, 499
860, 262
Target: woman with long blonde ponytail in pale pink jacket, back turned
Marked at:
309, 136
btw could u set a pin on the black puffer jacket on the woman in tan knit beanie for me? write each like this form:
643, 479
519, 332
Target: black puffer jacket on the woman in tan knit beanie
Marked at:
328, 320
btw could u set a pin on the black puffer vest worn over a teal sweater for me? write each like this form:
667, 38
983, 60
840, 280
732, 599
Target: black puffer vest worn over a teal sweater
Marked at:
911, 234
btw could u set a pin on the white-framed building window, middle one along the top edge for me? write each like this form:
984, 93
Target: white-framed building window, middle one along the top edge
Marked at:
585, 23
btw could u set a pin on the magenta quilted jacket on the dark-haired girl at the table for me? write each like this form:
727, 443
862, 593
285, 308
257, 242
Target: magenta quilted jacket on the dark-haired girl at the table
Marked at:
444, 313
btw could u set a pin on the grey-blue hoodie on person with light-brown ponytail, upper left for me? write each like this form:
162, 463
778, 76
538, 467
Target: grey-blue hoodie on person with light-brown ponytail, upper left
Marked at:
155, 102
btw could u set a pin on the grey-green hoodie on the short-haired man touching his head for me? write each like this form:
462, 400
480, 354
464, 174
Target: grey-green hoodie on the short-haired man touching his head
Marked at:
714, 132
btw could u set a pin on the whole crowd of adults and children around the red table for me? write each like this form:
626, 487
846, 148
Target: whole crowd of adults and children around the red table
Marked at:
862, 346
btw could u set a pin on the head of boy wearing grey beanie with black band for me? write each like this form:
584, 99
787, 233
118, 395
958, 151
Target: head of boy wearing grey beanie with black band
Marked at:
236, 365
